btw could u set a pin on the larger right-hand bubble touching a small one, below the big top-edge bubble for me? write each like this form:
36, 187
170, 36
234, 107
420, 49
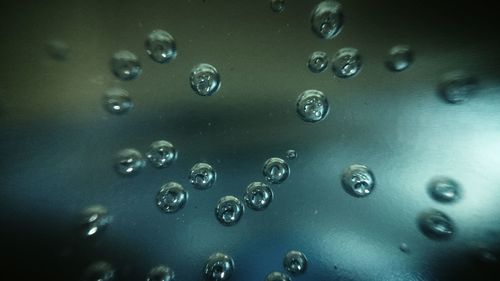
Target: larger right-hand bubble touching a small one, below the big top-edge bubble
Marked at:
347, 63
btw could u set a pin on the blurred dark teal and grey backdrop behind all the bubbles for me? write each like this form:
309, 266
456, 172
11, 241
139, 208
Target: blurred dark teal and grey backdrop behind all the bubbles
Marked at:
57, 142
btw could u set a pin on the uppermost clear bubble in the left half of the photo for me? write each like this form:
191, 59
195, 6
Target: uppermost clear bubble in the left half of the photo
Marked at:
160, 46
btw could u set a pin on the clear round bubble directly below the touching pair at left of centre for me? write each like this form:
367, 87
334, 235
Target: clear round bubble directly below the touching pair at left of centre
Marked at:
171, 197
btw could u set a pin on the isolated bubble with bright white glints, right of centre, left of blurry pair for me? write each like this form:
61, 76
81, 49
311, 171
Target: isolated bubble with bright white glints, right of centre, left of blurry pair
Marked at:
358, 180
